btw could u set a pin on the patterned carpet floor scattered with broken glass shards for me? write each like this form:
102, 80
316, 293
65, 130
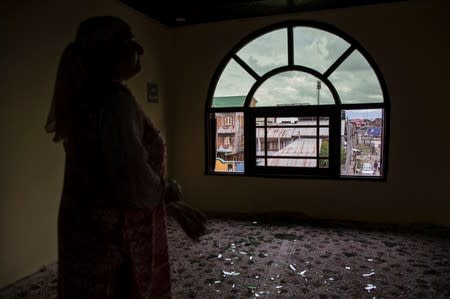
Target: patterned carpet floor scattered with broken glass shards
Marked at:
310, 259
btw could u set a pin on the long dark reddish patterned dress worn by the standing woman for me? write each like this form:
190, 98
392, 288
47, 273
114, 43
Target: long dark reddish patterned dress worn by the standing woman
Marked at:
112, 240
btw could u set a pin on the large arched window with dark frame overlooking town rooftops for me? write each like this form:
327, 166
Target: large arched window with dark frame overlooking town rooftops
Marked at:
297, 99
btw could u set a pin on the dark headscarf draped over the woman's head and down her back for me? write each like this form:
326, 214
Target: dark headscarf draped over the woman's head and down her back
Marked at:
83, 61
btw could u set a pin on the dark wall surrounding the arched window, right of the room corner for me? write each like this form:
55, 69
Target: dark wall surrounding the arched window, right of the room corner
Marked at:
409, 42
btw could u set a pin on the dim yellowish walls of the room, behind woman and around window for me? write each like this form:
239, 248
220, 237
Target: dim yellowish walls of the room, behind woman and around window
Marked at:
409, 41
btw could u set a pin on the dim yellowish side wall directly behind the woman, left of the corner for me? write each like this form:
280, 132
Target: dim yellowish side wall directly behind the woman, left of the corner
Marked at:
33, 35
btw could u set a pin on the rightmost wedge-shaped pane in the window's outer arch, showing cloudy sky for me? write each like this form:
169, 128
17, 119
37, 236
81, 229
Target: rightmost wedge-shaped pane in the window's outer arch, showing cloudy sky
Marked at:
356, 81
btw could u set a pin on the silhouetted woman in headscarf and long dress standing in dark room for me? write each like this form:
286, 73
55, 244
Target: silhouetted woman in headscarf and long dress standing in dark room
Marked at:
112, 240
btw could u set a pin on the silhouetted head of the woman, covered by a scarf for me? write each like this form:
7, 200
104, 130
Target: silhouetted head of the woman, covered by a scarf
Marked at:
107, 49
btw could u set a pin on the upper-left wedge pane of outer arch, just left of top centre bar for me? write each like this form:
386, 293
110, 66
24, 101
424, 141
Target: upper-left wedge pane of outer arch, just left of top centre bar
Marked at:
266, 52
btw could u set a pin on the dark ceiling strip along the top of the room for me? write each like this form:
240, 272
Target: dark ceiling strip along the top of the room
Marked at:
174, 13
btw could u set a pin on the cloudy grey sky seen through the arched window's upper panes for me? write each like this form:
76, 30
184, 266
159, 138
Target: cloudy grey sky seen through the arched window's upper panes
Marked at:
354, 80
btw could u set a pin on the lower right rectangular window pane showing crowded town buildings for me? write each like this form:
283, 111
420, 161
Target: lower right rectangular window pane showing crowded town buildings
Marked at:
362, 142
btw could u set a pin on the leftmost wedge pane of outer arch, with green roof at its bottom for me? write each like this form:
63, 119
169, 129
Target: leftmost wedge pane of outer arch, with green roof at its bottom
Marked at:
233, 86
